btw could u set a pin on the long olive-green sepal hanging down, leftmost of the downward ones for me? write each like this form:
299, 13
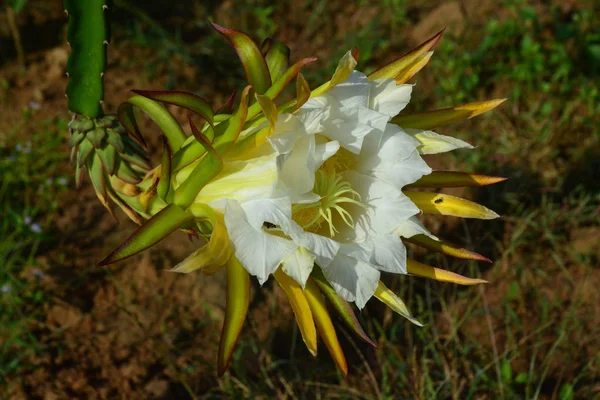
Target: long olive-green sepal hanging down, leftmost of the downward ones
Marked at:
238, 300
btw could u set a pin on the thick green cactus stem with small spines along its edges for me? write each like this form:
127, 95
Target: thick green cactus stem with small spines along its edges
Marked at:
88, 34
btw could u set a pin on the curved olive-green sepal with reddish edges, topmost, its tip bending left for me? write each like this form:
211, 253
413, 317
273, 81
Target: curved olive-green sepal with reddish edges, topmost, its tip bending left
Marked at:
257, 72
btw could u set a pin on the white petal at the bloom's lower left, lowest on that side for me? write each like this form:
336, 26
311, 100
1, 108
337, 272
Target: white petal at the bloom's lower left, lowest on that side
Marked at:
259, 252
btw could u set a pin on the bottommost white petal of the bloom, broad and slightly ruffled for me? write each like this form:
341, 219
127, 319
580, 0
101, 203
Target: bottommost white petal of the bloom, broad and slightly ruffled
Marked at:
352, 279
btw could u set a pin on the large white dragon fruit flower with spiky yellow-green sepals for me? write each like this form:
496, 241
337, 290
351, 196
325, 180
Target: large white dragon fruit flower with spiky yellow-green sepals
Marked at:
321, 192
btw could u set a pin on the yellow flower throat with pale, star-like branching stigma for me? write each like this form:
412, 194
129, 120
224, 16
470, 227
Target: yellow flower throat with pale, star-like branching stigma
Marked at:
336, 194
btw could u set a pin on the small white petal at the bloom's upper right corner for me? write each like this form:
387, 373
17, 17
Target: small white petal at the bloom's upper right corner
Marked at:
389, 98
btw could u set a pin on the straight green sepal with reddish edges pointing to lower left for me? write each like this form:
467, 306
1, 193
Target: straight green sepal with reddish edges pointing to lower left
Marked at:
161, 225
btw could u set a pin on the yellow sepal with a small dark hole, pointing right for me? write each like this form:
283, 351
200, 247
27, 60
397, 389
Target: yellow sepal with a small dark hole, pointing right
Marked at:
445, 204
